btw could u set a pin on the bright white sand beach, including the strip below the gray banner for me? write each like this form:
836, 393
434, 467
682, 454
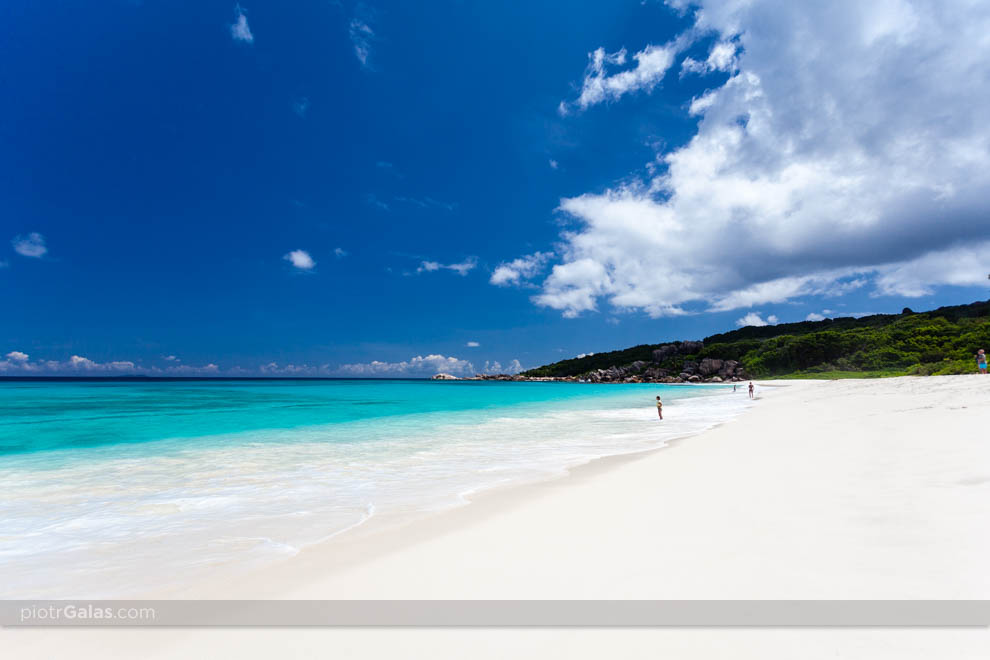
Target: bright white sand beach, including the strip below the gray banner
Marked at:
867, 489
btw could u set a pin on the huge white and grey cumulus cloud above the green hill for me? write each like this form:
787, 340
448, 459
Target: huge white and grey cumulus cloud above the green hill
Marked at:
849, 155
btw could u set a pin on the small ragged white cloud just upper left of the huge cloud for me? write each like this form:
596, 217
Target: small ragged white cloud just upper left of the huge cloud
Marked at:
652, 64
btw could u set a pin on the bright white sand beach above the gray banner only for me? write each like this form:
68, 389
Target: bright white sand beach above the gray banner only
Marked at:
744, 509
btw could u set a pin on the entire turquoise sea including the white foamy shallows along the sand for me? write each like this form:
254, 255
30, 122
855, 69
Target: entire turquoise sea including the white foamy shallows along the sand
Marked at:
114, 488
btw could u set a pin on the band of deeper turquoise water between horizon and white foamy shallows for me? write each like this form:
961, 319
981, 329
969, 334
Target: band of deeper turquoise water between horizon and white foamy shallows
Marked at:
45, 415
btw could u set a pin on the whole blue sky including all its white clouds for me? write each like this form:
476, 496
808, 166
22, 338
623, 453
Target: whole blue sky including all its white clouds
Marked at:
377, 188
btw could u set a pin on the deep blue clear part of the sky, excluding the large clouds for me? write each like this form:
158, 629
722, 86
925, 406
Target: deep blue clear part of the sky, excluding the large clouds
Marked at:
169, 167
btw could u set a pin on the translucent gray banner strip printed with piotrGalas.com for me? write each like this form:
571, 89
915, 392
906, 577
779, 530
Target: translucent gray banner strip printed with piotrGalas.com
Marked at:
497, 613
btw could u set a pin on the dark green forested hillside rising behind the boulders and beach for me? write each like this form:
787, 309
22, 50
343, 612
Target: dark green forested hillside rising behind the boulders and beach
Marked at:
942, 341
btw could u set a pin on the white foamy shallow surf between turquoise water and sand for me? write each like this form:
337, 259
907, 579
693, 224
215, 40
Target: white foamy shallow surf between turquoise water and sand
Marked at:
202, 508
